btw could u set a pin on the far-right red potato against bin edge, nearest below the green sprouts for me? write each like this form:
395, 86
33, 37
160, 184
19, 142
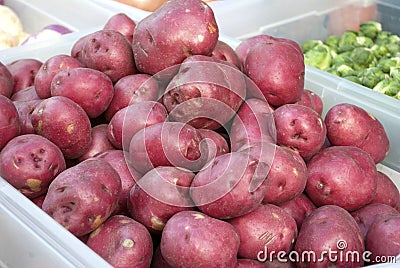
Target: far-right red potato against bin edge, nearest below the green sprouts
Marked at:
348, 124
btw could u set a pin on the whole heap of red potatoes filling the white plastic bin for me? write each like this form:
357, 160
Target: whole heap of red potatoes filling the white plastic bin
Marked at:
159, 145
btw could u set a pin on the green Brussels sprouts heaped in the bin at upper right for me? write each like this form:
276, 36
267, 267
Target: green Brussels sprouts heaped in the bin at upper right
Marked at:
369, 56
